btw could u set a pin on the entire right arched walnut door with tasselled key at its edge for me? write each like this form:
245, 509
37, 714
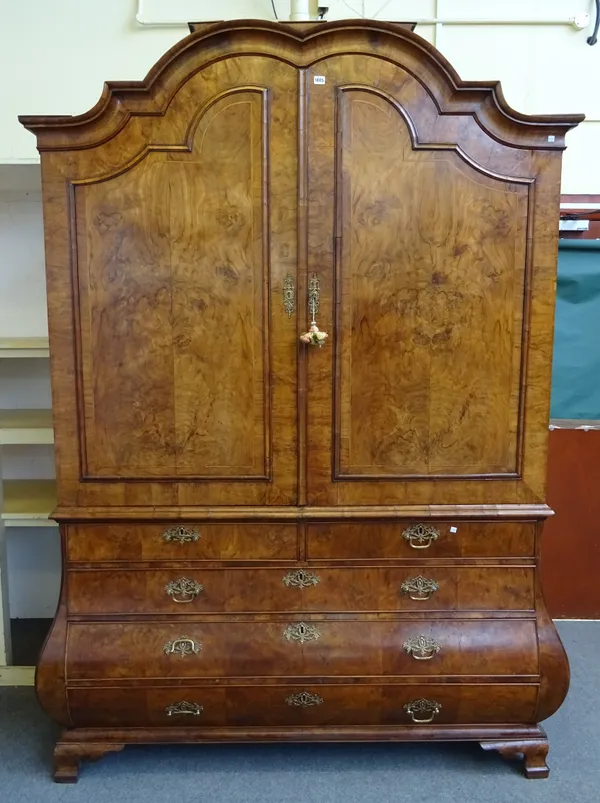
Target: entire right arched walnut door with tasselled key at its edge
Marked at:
418, 229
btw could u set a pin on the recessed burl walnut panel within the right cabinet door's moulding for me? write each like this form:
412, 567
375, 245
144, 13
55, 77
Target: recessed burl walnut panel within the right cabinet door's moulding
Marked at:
430, 327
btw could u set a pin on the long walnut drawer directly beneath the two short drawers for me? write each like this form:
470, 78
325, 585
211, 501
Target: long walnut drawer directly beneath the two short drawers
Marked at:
243, 590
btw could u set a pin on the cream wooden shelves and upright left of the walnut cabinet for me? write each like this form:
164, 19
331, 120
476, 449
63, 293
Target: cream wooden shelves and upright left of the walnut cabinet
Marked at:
24, 503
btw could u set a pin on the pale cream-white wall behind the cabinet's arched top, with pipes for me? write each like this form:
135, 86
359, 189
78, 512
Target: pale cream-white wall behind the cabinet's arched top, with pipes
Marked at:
59, 53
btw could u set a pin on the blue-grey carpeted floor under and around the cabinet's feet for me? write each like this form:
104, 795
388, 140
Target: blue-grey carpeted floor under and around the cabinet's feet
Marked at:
317, 773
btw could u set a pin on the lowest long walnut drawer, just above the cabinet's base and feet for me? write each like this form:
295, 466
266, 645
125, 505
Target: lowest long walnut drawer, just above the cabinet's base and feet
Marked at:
304, 705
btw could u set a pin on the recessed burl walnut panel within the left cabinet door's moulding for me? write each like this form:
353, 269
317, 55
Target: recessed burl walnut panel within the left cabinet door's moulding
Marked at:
166, 392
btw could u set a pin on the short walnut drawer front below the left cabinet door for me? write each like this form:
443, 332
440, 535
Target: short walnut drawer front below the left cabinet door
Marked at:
181, 541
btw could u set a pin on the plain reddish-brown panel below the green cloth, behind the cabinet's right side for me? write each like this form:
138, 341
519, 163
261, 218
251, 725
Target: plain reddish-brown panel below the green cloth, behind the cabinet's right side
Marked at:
571, 538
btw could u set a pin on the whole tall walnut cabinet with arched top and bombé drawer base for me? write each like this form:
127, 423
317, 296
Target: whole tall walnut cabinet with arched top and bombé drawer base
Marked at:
268, 539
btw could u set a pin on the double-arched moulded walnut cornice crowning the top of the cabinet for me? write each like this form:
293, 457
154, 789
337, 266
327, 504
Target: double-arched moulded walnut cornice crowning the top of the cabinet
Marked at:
301, 46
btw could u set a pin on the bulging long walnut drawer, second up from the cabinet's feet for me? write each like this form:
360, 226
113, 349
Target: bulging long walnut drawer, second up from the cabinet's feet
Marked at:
314, 648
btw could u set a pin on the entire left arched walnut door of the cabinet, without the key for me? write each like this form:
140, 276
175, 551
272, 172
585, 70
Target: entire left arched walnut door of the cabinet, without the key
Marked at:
184, 246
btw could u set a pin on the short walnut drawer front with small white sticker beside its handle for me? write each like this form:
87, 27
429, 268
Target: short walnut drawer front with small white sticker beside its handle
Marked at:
413, 539
